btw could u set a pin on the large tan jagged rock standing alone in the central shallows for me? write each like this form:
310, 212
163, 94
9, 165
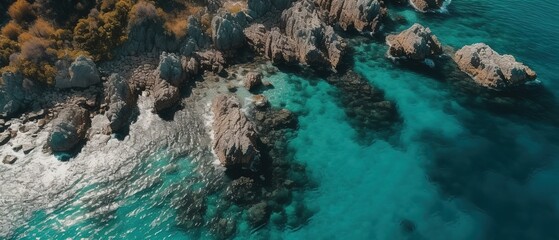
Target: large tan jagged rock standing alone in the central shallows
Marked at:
236, 142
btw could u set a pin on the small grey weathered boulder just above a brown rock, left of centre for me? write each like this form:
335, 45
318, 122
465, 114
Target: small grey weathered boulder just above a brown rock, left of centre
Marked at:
170, 69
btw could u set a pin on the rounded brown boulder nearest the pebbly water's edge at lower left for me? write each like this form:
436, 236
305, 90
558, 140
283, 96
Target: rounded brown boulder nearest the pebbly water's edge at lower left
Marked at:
69, 128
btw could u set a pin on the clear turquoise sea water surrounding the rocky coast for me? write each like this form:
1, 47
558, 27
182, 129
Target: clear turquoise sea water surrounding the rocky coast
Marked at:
455, 168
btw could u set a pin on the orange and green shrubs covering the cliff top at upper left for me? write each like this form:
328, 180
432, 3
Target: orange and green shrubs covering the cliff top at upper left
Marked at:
36, 34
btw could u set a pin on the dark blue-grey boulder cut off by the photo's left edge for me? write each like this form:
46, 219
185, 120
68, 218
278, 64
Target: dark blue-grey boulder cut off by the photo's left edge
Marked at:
14, 94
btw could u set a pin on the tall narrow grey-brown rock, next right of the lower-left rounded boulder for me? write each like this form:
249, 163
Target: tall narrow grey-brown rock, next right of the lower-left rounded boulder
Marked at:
120, 99
